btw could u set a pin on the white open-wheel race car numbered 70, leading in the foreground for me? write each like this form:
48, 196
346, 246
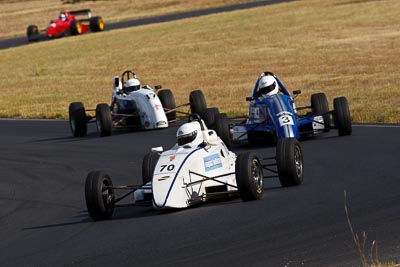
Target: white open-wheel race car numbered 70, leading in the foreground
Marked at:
198, 168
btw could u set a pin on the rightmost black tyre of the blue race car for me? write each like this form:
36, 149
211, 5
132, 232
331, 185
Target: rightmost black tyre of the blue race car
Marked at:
342, 116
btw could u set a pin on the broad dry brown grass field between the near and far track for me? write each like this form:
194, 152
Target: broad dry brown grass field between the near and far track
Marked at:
340, 47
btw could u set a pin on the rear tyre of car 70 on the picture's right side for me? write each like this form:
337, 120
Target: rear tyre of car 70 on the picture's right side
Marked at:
289, 159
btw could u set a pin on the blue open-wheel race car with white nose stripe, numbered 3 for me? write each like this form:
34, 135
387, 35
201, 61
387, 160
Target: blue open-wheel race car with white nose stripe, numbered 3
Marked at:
273, 115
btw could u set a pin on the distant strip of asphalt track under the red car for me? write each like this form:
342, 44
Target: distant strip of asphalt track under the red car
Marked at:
19, 41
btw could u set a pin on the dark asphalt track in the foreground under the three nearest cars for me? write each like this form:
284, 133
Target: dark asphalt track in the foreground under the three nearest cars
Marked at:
44, 221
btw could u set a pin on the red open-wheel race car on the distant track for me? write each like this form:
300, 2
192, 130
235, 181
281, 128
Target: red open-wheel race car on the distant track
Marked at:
67, 24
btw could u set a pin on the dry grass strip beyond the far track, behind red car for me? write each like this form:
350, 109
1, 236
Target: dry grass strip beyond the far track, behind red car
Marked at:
16, 15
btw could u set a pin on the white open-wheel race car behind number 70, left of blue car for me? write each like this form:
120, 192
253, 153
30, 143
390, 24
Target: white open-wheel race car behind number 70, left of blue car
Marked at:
133, 106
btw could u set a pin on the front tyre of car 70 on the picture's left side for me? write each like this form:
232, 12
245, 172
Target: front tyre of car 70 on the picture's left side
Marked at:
99, 195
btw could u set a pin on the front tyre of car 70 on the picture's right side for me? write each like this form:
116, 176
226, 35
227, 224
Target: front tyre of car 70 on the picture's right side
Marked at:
249, 176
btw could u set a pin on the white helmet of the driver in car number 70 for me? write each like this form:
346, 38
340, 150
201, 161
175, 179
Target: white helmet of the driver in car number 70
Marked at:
189, 135
